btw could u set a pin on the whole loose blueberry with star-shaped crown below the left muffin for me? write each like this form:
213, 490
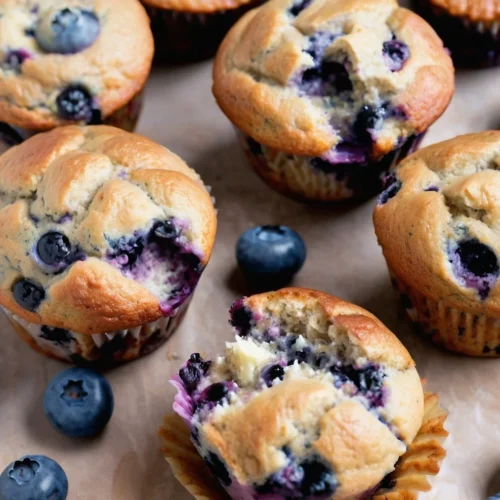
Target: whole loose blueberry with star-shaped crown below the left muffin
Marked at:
78, 402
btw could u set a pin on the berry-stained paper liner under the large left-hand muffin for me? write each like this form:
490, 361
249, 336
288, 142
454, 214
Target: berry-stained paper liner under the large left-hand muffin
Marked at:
107, 348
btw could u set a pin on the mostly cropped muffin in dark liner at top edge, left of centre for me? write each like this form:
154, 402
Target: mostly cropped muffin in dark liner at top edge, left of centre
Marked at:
192, 30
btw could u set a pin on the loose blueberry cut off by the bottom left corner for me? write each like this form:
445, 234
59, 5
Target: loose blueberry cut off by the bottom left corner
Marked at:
33, 477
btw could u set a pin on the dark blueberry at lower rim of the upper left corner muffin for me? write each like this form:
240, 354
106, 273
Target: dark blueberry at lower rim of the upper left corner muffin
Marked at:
76, 103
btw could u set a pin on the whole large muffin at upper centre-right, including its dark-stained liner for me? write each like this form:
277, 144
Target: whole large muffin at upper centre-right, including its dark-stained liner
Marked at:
327, 95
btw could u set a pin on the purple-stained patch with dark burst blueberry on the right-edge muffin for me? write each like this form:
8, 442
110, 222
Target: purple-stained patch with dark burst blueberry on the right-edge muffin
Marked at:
474, 264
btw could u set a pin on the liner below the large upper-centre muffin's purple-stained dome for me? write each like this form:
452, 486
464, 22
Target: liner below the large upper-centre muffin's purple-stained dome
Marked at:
297, 177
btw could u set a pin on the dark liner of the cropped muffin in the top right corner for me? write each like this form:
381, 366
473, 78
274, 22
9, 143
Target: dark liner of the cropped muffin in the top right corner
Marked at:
472, 44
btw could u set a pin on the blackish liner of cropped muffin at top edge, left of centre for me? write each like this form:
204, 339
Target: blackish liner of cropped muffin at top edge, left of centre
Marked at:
190, 36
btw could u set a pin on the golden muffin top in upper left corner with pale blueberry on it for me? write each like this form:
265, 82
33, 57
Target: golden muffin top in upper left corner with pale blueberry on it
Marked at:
67, 61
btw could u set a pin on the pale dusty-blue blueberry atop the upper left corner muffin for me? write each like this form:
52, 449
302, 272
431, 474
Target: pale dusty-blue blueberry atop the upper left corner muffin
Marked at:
67, 31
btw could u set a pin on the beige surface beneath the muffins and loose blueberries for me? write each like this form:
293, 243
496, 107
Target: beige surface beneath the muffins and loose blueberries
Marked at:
344, 259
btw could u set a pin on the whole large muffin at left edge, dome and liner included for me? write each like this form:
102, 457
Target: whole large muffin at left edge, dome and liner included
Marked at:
103, 237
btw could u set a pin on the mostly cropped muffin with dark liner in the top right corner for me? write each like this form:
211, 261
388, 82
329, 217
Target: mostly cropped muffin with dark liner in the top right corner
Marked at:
469, 28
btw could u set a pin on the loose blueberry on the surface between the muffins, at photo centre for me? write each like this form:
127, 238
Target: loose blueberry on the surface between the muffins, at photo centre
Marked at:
270, 255
